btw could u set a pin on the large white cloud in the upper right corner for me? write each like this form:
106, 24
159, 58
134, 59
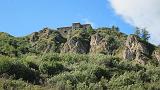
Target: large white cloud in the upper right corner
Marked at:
141, 13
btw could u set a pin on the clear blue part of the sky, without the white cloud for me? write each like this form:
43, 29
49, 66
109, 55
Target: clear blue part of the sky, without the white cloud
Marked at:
22, 17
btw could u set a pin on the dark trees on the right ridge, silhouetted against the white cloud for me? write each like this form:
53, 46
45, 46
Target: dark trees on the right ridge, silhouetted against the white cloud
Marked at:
142, 33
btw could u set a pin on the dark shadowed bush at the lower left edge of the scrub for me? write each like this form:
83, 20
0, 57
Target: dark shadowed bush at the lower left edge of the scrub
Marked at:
18, 70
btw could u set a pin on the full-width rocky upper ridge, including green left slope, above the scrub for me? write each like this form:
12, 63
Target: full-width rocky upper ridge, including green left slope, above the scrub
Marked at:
101, 41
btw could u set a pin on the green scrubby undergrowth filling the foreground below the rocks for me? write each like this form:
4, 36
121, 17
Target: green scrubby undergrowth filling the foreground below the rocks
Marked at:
77, 72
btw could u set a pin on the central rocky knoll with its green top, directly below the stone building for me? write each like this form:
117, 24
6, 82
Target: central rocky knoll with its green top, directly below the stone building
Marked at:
77, 42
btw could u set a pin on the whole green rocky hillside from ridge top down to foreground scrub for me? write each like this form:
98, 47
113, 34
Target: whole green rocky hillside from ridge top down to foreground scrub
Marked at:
79, 58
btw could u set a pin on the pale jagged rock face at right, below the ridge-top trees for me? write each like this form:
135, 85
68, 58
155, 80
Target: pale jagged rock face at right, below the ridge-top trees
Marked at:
135, 50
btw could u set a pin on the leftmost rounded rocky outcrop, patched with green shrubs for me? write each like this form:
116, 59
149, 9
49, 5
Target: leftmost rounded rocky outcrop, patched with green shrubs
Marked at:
46, 40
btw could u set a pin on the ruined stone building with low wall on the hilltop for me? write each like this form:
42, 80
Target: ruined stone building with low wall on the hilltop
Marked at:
75, 26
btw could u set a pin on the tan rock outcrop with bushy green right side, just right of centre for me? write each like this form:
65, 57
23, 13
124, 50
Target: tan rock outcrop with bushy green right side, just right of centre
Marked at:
106, 41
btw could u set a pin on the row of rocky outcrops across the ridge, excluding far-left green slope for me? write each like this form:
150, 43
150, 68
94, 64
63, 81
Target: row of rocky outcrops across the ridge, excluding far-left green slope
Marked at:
130, 48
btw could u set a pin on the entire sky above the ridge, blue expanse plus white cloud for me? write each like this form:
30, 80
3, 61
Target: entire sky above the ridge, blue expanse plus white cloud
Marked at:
22, 17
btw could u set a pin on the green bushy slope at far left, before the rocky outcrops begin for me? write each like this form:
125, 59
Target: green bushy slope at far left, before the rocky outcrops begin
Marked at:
12, 46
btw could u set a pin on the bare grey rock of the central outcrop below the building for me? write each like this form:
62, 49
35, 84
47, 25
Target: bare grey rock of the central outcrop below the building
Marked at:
75, 45
